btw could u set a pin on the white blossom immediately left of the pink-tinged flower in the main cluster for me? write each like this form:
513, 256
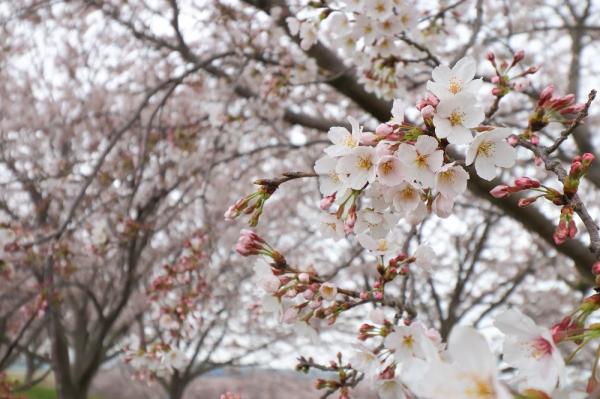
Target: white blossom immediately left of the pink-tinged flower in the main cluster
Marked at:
358, 168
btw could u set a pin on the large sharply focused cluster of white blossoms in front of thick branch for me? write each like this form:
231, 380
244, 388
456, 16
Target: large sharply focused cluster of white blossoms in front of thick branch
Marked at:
403, 170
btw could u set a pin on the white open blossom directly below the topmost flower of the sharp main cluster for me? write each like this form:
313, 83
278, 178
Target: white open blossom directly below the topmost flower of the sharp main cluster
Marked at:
455, 117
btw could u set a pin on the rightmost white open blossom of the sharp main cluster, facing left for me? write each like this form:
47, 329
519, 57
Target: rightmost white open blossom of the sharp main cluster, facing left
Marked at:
490, 149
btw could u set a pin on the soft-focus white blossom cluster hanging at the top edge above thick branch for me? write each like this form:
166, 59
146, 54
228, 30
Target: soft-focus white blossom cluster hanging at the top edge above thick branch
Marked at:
373, 34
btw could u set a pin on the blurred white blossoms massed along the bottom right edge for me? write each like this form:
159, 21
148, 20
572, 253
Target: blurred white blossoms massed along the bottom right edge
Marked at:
411, 360
